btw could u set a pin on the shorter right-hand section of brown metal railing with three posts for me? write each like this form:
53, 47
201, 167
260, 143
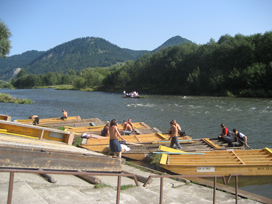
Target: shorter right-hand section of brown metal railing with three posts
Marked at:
198, 176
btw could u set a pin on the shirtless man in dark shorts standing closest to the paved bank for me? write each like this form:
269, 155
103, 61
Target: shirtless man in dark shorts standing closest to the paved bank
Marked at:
114, 142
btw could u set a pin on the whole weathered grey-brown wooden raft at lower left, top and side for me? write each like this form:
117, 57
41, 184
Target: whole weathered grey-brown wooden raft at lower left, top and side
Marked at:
20, 152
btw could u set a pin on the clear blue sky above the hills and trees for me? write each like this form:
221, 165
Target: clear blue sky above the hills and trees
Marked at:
134, 24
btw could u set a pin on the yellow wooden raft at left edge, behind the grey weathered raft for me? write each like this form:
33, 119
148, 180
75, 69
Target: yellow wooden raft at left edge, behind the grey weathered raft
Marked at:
32, 131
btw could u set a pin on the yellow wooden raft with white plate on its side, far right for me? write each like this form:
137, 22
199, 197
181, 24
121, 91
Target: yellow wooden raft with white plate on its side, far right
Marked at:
244, 162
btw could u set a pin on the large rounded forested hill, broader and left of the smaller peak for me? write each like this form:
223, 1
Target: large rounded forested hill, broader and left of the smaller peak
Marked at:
79, 54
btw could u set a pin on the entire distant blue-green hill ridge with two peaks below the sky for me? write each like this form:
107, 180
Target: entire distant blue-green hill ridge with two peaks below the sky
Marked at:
76, 54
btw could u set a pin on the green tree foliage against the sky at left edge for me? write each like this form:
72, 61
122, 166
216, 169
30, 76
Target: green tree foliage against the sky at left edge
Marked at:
5, 43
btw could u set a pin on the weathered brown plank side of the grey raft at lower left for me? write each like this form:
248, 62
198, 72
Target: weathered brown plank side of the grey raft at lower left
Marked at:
34, 158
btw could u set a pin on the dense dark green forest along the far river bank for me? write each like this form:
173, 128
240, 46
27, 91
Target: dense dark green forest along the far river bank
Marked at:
239, 65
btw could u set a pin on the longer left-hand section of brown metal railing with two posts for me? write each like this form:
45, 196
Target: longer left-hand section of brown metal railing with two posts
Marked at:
75, 173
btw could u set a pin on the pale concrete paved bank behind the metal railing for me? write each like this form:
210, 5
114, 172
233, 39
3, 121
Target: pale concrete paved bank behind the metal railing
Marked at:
32, 188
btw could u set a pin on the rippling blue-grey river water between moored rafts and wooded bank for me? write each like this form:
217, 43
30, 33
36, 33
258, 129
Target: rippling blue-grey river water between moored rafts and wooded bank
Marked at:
198, 116
